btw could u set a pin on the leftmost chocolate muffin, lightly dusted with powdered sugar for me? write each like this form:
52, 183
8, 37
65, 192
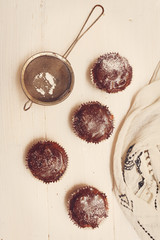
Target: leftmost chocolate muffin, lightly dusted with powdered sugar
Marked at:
47, 161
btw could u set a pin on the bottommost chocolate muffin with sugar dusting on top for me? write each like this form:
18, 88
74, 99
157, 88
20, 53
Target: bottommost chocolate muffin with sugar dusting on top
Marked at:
88, 207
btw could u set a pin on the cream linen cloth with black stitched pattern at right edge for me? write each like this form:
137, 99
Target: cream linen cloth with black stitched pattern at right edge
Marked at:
137, 161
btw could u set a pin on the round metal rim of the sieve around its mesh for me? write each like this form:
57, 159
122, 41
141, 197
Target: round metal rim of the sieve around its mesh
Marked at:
63, 96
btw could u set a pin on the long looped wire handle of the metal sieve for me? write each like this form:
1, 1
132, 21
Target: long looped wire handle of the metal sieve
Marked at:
80, 34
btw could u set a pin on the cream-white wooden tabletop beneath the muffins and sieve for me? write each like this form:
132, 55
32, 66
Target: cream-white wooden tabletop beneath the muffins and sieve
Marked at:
30, 209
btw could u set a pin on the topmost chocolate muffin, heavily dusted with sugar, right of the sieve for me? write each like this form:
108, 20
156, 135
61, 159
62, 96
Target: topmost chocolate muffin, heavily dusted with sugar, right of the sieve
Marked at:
111, 73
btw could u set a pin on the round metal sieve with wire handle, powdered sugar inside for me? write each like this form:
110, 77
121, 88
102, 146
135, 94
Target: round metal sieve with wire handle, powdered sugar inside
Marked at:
47, 78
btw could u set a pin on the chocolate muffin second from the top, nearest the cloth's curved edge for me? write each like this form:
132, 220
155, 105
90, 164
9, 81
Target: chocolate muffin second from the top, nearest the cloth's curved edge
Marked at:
93, 122
